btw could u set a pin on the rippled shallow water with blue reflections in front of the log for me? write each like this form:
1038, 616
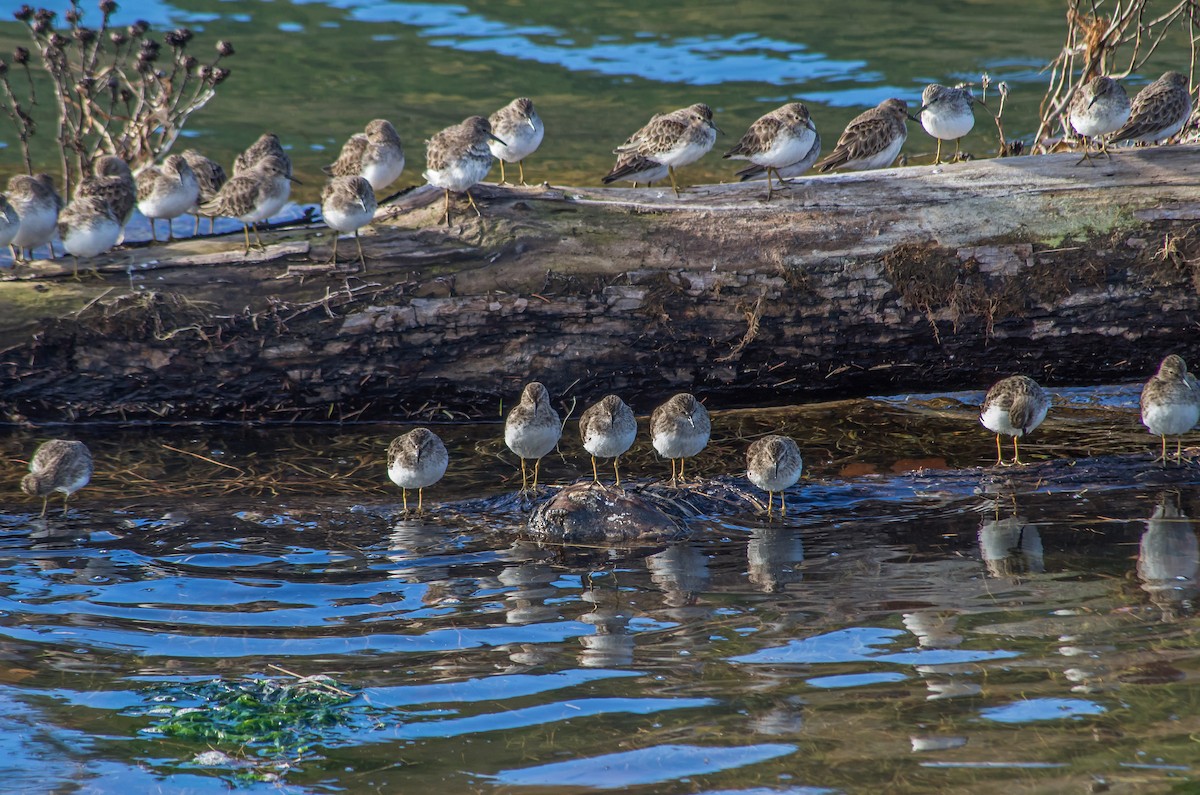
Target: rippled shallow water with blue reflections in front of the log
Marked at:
916, 630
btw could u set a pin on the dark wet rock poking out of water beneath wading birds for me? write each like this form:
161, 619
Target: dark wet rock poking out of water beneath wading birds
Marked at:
595, 515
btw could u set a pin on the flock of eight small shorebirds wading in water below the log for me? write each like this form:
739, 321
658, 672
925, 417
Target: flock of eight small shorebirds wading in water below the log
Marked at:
680, 431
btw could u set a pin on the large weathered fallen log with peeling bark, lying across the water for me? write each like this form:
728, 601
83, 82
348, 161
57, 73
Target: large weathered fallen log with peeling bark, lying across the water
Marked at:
911, 279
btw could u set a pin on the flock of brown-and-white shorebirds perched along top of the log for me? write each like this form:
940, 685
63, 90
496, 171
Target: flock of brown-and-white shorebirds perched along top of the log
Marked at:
782, 145
